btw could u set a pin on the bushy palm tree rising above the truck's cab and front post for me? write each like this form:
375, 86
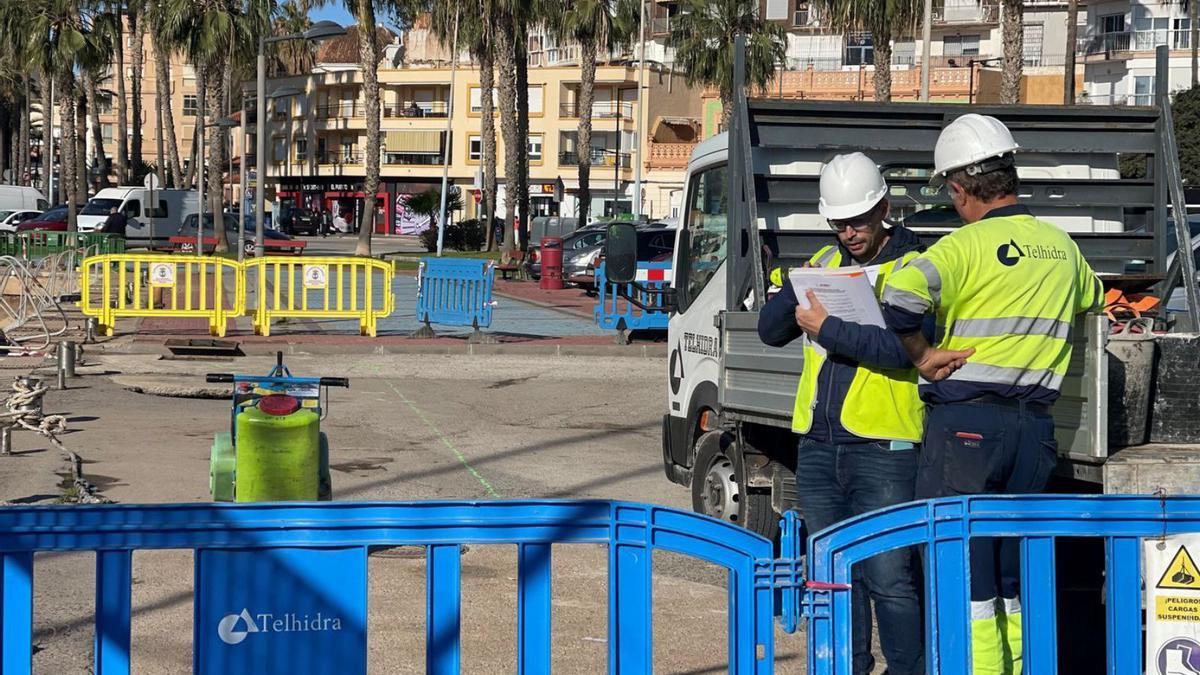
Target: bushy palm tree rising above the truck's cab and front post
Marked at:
704, 39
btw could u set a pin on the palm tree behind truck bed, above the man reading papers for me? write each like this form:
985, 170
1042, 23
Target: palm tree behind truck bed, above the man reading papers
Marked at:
885, 20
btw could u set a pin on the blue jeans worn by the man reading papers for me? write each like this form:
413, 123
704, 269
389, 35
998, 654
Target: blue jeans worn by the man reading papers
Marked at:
836, 482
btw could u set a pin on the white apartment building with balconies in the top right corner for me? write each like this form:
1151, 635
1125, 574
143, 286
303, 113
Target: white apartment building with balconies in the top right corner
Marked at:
1118, 50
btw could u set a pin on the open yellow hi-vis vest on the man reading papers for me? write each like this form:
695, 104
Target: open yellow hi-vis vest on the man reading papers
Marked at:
883, 403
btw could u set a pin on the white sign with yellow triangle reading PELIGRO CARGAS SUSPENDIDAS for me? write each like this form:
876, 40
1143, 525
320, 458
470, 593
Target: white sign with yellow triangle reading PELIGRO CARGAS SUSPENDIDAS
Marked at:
1173, 606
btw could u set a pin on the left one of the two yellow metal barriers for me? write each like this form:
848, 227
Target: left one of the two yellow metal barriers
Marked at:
130, 285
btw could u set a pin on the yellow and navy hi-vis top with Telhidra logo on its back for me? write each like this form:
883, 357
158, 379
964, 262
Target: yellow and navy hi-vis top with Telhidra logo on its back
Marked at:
1010, 288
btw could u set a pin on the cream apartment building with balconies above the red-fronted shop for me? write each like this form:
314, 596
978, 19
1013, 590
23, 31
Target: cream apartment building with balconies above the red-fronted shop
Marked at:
429, 109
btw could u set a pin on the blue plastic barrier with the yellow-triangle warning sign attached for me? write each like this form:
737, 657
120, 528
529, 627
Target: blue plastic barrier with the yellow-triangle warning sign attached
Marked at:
945, 528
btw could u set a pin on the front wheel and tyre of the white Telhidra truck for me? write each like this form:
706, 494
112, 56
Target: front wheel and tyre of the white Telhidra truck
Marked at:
718, 487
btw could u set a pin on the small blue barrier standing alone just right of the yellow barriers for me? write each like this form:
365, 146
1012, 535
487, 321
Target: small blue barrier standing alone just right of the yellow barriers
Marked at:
454, 292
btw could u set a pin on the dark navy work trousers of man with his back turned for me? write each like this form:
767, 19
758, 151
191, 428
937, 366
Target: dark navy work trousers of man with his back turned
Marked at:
985, 449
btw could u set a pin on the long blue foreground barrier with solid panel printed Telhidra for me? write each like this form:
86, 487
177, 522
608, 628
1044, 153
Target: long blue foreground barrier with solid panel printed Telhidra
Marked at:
283, 589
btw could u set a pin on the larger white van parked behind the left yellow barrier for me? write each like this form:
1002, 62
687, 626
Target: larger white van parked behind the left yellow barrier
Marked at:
136, 202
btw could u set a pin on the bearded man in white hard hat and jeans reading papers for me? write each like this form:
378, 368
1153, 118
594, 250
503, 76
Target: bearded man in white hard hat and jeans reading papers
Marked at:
857, 410
